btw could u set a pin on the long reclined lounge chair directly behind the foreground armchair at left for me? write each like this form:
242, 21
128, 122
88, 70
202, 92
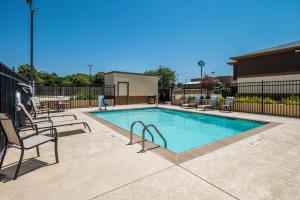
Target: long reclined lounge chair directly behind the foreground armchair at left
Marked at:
29, 122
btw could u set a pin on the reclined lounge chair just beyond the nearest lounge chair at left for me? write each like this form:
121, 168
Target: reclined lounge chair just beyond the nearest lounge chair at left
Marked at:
36, 110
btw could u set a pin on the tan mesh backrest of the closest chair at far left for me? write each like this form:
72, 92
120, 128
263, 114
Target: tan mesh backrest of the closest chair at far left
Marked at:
9, 129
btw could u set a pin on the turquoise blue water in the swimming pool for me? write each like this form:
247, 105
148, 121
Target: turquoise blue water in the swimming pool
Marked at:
182, 130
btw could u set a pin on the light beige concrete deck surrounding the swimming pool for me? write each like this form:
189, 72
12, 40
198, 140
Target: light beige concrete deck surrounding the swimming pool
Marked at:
99, 165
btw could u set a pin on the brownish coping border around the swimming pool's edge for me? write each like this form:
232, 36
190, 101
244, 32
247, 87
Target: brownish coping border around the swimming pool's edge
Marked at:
179, 158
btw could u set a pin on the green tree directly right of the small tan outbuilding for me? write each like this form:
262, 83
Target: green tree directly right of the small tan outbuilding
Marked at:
166, 76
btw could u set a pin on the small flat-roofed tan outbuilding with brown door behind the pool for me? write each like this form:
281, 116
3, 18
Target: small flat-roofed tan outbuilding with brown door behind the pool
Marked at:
132, 88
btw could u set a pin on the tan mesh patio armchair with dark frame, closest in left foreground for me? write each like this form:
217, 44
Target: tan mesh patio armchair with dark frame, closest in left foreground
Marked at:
14, 140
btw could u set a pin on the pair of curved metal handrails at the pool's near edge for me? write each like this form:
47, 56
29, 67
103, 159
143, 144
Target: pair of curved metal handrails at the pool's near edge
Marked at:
146, 128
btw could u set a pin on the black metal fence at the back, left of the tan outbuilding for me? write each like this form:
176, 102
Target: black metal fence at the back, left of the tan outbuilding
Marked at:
75, 96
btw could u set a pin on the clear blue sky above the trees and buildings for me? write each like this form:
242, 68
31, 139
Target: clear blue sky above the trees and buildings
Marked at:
135, 35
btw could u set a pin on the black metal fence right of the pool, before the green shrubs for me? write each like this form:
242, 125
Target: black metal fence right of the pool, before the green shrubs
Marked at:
281, 98
